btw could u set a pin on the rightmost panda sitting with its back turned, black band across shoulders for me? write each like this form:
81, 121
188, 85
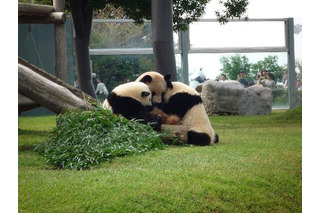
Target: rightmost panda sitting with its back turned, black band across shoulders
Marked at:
186, 103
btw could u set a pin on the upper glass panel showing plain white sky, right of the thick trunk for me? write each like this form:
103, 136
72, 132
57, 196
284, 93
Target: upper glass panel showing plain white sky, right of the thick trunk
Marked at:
237, 34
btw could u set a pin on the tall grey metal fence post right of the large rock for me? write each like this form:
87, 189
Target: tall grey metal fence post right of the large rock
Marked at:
292, 94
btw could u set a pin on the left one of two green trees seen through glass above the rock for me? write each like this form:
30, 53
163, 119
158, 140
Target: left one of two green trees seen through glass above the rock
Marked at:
232, 65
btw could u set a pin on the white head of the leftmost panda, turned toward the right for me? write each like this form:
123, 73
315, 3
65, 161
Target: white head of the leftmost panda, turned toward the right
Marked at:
136, 90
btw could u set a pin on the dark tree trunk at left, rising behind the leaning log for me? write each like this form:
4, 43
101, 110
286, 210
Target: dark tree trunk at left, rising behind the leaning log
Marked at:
82, 20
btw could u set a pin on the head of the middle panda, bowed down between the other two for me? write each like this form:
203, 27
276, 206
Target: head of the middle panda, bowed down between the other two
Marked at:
157, 83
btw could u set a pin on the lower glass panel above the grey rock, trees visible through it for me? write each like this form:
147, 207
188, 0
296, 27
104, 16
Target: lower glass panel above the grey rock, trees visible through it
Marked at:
212, 68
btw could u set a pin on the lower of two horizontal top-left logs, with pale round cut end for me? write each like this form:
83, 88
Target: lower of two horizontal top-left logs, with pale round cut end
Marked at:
51, 18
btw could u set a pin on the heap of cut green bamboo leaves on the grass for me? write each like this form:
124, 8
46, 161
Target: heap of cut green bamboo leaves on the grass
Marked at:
84, 139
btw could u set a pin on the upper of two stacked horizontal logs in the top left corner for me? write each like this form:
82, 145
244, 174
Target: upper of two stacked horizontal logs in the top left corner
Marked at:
34, 9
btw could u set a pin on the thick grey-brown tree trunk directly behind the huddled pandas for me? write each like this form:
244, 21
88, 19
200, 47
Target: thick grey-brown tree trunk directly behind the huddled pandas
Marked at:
162, 32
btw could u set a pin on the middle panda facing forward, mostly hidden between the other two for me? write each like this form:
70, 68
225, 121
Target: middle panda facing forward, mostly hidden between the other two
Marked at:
158, 85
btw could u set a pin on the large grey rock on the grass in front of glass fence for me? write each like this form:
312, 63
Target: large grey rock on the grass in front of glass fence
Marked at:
233, 99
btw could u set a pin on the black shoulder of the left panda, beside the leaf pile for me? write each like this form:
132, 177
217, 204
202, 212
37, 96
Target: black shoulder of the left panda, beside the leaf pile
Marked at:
126, 106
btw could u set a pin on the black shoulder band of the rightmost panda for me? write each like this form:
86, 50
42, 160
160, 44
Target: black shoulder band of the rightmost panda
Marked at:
180, 103
